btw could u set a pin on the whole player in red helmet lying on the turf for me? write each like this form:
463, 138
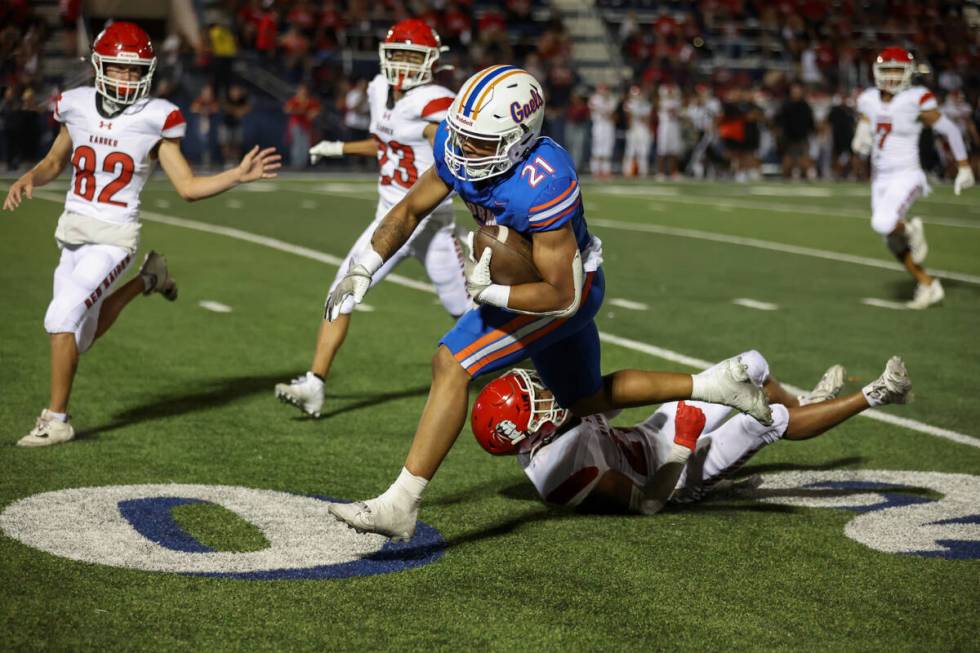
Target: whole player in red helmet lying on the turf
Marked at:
641, 468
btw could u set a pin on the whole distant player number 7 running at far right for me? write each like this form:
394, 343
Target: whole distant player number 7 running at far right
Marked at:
891, 119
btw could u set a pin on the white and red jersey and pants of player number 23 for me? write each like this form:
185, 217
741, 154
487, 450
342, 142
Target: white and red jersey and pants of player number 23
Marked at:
403, 154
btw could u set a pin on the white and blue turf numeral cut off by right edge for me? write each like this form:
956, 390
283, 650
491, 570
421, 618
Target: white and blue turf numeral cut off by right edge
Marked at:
898, 512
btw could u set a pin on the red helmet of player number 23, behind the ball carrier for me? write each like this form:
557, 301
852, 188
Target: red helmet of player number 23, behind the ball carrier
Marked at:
409, 53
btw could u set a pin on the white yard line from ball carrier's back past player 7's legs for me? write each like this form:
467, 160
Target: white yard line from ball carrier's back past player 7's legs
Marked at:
664, 230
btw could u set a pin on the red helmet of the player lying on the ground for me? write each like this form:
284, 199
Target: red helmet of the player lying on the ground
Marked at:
514, 413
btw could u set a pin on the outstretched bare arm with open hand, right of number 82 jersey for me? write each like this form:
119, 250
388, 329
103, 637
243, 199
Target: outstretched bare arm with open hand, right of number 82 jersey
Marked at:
256, 164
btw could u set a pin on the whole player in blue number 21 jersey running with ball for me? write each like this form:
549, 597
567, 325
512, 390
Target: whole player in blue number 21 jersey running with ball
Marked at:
489, 151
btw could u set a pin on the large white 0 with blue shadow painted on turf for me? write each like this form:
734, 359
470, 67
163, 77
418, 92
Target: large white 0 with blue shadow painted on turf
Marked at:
132, 526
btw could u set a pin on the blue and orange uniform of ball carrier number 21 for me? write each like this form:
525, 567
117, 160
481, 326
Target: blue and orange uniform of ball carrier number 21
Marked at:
541, 193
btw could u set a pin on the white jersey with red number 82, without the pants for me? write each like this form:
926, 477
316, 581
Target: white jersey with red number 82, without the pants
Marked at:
110, 157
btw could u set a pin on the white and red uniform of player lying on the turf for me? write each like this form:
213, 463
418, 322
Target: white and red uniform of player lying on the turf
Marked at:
567, 469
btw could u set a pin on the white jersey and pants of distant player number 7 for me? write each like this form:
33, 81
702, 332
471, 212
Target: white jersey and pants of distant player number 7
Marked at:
897, 178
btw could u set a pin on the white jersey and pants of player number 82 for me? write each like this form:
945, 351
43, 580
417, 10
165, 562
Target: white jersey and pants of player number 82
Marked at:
99, 231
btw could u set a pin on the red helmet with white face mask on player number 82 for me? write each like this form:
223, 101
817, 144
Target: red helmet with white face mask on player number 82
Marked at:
123, 44
